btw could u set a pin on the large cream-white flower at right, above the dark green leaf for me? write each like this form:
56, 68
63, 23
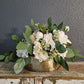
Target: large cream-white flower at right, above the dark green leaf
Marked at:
63, 39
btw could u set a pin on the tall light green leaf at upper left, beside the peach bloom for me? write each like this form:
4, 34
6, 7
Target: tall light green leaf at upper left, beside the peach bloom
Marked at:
27, 33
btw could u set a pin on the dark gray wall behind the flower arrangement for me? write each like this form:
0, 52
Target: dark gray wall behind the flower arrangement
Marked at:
15, 14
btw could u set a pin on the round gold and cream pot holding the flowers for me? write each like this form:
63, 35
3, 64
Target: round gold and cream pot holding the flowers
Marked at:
44, 66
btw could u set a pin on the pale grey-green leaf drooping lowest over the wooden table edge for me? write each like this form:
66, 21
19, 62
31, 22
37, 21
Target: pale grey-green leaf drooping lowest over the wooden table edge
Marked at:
19, 65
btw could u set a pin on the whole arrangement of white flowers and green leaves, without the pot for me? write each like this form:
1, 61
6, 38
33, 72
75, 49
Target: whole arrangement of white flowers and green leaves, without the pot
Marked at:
42, 42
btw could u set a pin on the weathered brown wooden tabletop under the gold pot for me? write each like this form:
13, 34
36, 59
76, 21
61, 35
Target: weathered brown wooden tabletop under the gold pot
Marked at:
76, 71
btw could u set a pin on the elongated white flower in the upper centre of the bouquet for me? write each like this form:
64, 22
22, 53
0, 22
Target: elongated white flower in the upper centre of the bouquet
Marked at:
49, 40
